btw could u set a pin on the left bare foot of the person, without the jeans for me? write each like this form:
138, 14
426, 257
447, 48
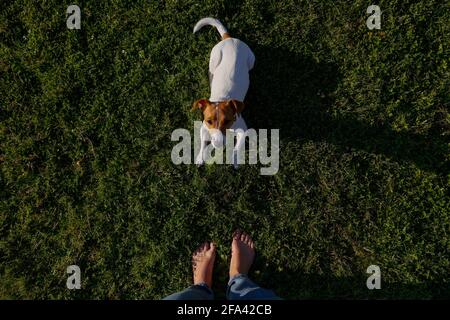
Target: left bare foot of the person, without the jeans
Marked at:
203, 263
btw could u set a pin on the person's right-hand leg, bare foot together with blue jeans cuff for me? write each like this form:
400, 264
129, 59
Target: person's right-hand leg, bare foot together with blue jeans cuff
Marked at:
240, 287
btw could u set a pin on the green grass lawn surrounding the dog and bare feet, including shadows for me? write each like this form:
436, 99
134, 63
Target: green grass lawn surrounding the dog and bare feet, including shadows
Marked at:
86, 176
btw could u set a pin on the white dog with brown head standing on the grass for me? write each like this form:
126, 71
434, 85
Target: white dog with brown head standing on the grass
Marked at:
229, 66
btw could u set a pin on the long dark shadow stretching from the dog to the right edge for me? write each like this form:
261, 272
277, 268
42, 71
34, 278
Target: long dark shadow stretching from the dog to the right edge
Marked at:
296, 94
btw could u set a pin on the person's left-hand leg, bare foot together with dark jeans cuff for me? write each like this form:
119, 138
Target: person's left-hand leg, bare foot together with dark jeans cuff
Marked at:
202, 267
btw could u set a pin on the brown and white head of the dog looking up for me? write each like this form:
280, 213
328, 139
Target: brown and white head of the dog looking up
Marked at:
218, 116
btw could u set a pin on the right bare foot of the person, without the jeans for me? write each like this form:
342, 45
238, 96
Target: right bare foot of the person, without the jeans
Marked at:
242, 253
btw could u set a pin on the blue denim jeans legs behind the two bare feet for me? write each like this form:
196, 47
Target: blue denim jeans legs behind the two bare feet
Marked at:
240, 287
